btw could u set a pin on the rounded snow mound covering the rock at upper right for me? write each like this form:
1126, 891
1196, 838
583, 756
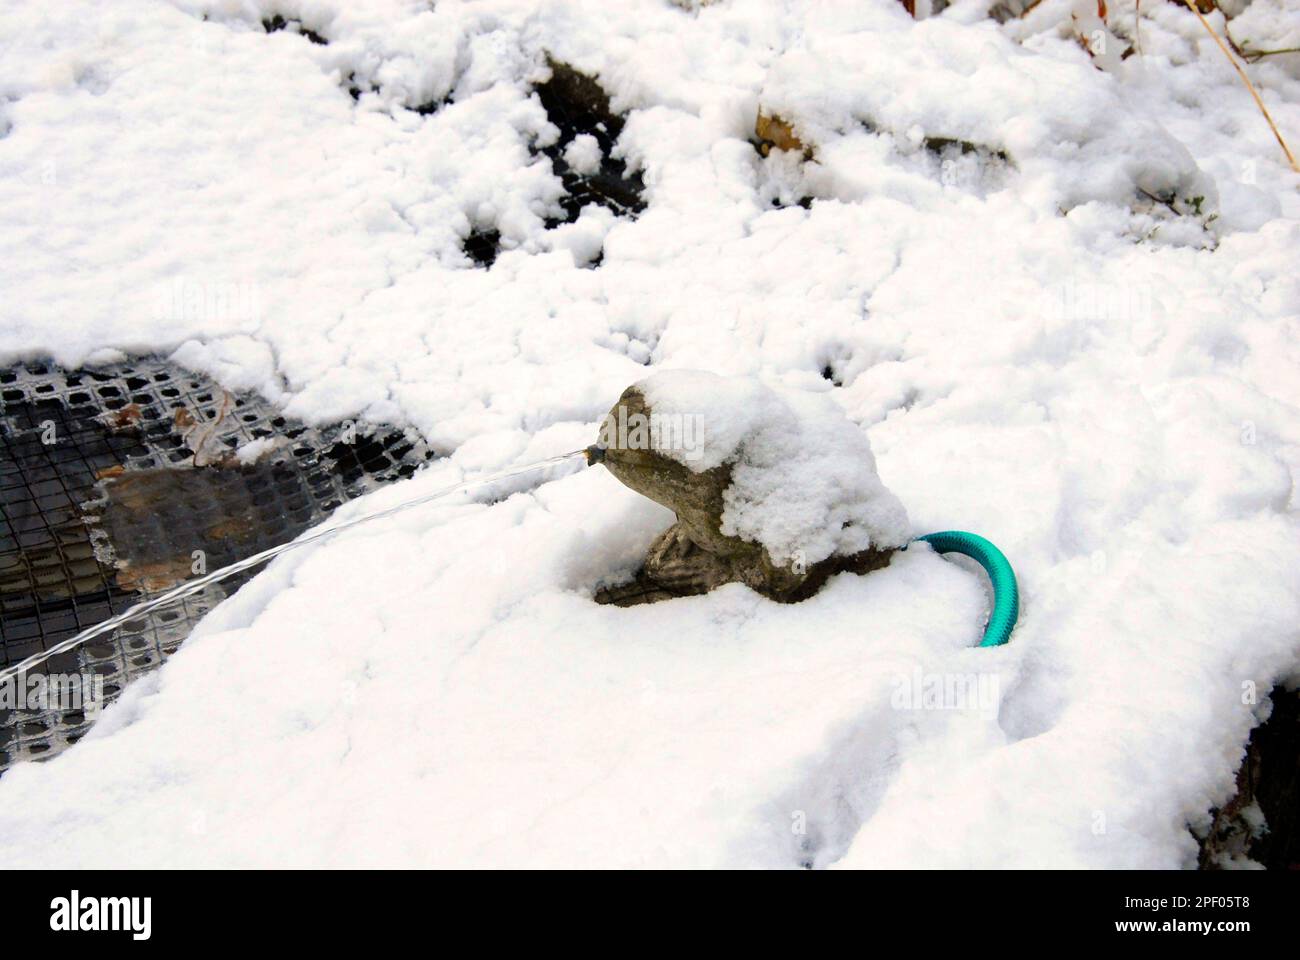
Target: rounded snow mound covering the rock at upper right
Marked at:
1074, 137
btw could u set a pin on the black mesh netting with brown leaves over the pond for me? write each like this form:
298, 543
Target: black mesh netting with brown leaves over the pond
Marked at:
120, 483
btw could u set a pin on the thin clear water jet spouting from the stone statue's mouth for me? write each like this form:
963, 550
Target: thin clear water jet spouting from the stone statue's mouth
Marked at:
271, 553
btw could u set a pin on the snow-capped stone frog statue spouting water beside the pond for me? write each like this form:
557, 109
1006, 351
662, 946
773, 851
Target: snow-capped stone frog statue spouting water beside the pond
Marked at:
777, 490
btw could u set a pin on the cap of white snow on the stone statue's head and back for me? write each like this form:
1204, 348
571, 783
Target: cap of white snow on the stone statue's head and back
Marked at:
804, 478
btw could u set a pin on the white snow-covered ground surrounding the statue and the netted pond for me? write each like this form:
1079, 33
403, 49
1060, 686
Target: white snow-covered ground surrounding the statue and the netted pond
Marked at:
1078, 339
